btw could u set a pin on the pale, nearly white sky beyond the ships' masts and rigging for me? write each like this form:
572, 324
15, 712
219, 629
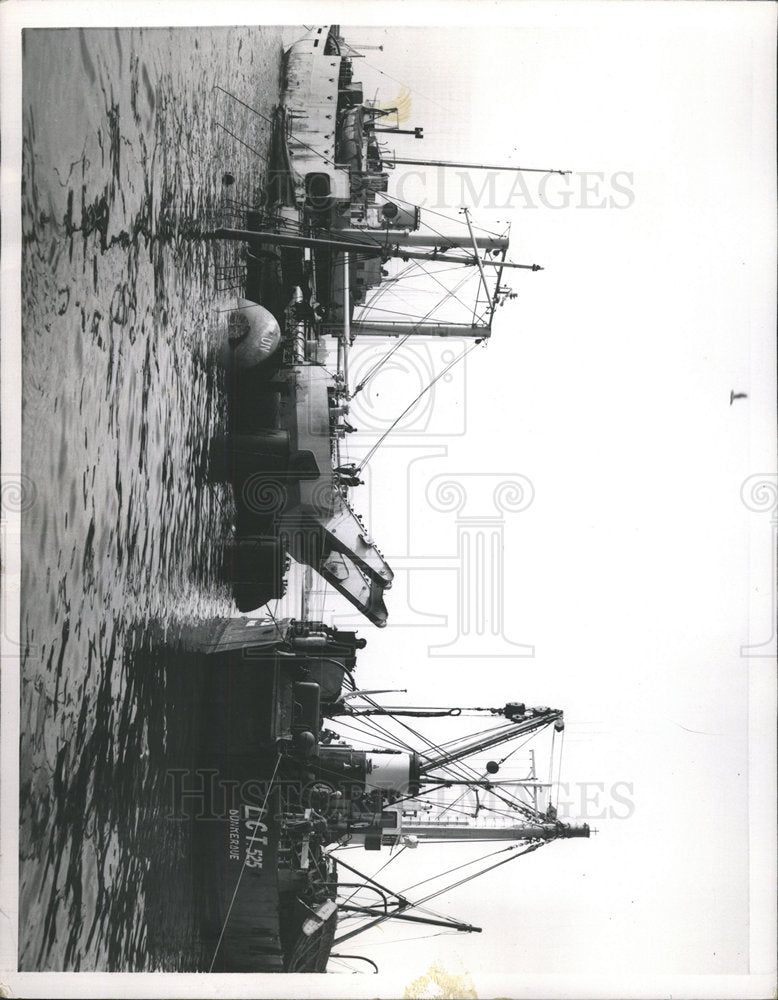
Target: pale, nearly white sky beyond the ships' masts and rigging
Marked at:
637, 573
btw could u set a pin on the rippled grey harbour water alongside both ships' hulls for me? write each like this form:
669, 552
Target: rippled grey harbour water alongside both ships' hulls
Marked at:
126, 144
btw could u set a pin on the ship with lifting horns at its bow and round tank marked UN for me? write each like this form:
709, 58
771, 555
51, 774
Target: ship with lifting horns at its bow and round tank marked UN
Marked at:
315, 255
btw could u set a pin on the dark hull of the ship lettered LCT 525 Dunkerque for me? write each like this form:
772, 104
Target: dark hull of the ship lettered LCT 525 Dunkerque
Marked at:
258, 879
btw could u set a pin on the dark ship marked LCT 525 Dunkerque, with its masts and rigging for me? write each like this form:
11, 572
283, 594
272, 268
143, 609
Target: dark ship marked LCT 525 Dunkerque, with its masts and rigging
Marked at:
299, 771
